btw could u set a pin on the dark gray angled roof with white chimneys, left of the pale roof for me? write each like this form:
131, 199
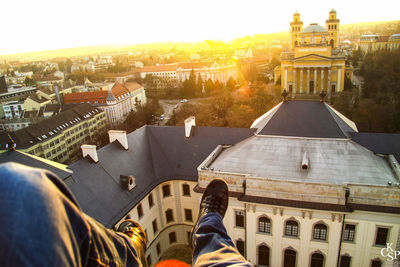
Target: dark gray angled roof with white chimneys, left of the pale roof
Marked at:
156, 154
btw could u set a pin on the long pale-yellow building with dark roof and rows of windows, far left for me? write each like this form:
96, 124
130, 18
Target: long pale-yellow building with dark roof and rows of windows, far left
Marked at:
59, 137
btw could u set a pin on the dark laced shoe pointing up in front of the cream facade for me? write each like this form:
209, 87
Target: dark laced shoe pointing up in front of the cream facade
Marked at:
215, 198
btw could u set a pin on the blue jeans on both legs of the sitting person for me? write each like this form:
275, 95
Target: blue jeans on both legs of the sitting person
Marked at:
41, 224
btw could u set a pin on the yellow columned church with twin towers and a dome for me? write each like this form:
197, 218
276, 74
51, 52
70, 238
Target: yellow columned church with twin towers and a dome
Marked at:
314, 62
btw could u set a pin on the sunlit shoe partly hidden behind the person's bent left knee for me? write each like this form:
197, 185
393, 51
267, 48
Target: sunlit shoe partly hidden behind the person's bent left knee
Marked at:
135, 232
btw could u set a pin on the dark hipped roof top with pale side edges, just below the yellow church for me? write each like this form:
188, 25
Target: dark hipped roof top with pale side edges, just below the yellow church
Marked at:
305, 119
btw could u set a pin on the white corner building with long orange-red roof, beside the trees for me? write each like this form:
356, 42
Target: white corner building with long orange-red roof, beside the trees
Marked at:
117, 102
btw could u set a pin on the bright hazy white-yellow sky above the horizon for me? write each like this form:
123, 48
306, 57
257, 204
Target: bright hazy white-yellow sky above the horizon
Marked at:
34, 25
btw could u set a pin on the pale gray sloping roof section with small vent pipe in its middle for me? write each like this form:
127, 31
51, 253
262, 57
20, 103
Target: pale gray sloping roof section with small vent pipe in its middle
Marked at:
331, 161
